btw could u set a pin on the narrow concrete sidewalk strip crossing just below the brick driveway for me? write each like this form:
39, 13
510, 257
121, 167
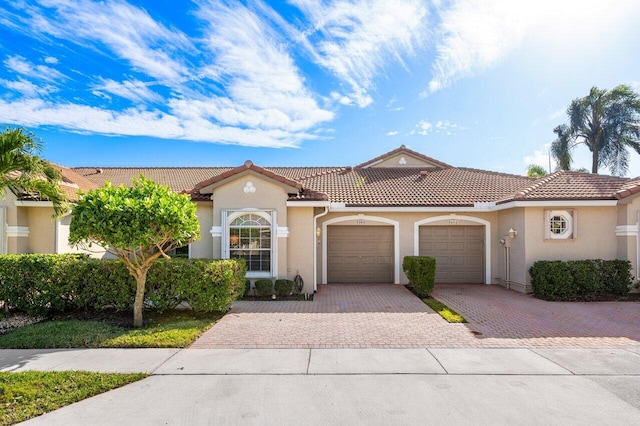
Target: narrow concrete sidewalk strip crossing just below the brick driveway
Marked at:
431, 361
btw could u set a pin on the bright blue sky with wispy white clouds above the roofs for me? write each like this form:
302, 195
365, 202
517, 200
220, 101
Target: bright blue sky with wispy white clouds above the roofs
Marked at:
473, 83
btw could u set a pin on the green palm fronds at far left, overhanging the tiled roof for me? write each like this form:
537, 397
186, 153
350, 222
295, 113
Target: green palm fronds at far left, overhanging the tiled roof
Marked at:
24, 173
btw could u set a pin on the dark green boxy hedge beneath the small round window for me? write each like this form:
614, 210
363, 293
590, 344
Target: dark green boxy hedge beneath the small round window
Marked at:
580, 279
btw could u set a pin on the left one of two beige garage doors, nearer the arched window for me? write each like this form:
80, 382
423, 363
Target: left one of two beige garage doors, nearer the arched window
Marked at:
360, 254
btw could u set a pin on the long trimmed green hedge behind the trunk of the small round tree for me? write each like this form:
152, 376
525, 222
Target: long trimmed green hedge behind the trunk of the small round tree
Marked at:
41, 283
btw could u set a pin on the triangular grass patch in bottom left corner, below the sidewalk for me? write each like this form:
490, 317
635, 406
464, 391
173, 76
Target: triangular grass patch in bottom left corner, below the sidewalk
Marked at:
33, 393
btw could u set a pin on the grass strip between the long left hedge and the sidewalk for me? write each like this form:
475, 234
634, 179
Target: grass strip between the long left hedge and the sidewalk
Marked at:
172, 330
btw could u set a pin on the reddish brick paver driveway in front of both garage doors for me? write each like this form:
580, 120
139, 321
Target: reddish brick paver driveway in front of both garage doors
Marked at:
389, 316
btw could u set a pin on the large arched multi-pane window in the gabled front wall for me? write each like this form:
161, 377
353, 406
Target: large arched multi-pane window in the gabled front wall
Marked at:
250, 239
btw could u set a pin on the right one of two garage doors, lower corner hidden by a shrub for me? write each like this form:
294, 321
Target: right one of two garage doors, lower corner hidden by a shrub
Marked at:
458, 250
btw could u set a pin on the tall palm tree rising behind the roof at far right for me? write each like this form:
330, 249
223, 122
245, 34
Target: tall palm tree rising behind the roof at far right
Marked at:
607, 122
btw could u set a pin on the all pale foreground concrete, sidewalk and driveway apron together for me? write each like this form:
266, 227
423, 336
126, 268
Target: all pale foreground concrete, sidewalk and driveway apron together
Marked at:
351, 386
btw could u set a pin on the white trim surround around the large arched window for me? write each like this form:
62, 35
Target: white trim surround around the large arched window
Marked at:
229, 215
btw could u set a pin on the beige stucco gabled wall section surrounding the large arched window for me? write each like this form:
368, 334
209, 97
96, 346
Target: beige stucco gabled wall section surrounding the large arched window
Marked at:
268, 195
